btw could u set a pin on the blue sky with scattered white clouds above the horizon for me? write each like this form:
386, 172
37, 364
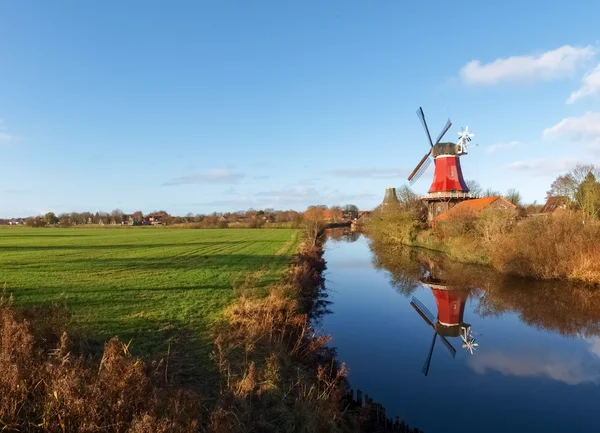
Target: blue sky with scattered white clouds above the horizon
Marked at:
202, 106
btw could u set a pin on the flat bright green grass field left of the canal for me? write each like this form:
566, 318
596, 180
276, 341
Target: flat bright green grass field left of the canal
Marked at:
154, 285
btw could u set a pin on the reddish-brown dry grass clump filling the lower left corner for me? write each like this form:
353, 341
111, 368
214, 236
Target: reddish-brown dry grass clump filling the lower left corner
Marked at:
48, 384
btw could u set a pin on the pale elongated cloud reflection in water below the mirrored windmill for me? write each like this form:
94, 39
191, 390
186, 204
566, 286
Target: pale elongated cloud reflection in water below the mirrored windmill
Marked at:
558, 366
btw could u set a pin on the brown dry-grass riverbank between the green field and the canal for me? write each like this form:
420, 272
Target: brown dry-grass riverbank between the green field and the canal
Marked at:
274, 372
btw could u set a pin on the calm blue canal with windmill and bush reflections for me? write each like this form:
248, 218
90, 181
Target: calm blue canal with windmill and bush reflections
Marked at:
536, 366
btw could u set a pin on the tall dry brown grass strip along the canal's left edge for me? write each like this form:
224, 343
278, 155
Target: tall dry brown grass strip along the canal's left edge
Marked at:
277, 372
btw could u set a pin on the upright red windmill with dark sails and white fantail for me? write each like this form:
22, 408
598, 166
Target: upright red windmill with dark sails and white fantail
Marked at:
448, 186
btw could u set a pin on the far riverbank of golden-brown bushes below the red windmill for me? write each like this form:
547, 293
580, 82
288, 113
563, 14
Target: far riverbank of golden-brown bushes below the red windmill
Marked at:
562, 246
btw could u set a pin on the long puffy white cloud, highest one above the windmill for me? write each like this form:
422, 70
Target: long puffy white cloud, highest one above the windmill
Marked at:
550, 65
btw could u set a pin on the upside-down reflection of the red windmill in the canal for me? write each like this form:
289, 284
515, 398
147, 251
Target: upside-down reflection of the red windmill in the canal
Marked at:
451, 303
